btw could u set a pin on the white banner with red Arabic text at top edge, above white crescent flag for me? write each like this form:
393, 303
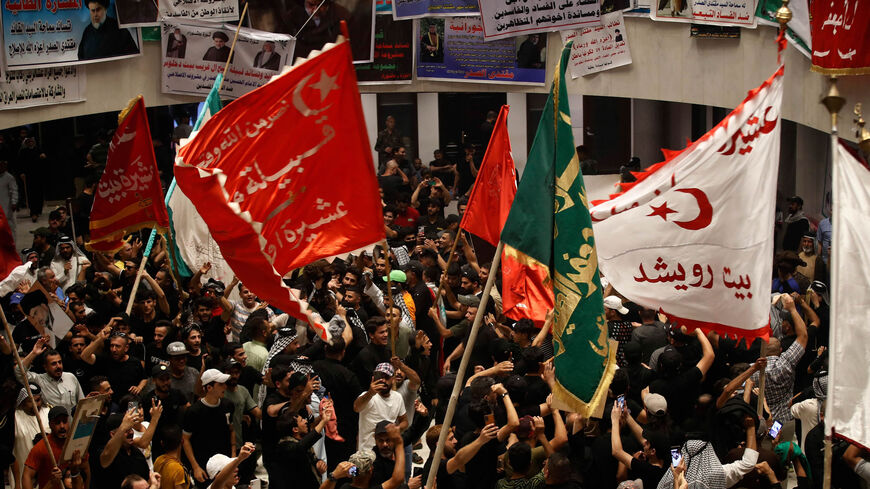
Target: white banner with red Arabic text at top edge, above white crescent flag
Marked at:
739, 13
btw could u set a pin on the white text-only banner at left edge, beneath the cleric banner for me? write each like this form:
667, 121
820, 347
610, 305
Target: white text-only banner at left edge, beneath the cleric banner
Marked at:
42, 86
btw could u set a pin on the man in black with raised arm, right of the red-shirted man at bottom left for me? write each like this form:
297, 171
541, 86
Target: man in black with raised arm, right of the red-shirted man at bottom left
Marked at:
119, 458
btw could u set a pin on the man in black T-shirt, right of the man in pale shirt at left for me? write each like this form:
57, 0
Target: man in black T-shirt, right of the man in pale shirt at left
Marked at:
125, 372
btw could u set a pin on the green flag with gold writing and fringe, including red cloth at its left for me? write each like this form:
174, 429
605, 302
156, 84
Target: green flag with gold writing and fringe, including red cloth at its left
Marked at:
550, 258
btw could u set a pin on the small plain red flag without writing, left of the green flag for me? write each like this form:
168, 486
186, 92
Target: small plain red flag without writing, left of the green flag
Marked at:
495, 187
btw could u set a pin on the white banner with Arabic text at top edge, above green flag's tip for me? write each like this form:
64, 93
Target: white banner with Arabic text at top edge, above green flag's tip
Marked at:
508, 18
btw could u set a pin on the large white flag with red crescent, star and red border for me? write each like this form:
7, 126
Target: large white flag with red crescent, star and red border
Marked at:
693, 237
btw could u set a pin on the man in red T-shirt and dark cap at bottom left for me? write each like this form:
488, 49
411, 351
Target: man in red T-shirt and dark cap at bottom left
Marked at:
38, 467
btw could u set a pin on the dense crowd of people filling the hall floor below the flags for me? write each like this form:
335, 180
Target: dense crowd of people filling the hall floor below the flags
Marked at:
206, 385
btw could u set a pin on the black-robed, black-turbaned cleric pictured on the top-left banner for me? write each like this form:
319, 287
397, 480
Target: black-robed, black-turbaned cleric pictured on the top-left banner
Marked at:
103, 38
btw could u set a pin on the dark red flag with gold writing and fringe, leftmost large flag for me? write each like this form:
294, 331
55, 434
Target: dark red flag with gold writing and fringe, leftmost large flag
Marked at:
129, 196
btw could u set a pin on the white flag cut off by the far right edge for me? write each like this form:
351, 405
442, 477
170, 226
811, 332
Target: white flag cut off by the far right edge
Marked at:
848, 412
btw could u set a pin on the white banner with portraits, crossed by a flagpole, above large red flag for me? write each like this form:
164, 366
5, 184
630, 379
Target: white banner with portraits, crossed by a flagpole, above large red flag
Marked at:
194, 53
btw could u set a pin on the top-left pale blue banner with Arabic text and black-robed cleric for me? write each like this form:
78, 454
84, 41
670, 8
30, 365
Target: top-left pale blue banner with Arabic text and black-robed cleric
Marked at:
41, 33
